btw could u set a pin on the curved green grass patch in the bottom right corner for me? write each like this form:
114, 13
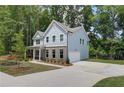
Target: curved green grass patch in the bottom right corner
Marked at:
111, 82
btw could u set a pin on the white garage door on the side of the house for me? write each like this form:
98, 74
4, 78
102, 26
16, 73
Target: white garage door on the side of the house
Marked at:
74, 56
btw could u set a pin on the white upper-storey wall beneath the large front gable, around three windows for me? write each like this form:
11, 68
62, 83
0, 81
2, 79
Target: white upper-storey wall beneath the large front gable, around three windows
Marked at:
55, 30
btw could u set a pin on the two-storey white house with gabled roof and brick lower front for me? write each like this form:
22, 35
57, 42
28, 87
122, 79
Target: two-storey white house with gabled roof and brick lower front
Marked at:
60, 42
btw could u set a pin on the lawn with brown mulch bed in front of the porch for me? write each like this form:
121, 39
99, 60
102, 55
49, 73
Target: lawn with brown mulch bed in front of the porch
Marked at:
24, 68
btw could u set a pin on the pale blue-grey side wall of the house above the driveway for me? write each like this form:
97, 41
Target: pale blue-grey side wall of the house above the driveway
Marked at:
74, 45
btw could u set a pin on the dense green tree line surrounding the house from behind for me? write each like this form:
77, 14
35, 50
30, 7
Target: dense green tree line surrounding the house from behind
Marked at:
104, 25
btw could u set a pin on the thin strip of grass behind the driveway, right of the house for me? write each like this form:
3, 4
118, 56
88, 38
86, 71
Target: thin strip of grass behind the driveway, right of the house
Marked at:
121, 62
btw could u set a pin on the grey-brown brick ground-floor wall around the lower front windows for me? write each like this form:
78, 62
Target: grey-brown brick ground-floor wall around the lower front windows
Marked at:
57, 52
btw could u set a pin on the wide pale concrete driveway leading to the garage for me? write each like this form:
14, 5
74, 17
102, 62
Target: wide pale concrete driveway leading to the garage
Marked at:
81, 74
